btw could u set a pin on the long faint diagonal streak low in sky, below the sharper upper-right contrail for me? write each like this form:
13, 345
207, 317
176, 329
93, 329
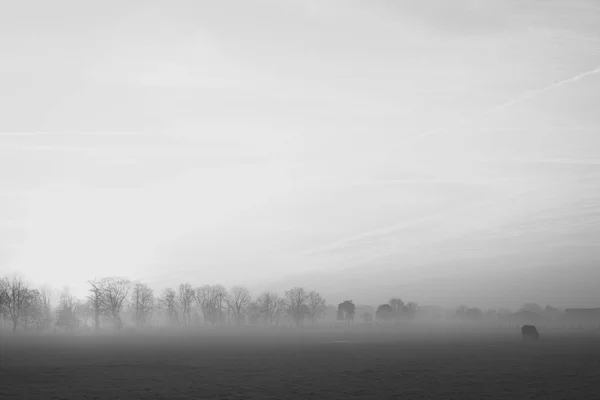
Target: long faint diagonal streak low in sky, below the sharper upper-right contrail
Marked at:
343, 243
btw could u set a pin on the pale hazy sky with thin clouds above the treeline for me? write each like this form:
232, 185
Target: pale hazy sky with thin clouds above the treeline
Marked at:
442, 151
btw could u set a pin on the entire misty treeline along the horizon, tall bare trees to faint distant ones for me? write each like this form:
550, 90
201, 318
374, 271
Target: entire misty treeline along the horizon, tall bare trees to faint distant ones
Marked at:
116, 301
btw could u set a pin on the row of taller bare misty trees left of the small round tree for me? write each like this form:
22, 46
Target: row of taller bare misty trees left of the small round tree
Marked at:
108, 299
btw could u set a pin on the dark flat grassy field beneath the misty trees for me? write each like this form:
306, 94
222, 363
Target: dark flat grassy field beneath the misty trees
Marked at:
357, 364
